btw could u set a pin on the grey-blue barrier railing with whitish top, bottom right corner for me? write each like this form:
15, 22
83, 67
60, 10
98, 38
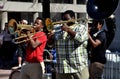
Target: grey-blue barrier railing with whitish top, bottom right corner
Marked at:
112, 67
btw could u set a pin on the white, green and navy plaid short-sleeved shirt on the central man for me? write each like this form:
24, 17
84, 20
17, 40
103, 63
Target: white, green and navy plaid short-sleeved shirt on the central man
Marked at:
72, 52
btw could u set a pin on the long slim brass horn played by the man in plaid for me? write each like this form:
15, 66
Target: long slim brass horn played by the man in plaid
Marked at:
49, 24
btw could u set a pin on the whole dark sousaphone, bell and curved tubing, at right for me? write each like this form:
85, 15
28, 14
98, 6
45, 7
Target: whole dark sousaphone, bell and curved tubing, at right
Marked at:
103, 9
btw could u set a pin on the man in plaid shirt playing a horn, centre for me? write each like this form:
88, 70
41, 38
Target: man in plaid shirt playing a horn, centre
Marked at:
71, 48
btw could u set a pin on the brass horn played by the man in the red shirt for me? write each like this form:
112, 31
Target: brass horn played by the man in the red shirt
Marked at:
20, 30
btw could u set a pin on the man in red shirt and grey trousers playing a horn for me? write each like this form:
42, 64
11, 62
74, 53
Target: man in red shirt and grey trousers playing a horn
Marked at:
33, 68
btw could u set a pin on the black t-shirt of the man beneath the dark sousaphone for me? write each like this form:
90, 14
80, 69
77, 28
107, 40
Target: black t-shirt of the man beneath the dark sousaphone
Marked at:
98, 53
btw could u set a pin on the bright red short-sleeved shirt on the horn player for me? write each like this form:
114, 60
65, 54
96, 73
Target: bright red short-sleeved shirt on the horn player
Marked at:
36, 55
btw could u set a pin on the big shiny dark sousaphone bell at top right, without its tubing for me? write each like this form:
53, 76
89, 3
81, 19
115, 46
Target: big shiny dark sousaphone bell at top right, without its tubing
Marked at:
101, 9
